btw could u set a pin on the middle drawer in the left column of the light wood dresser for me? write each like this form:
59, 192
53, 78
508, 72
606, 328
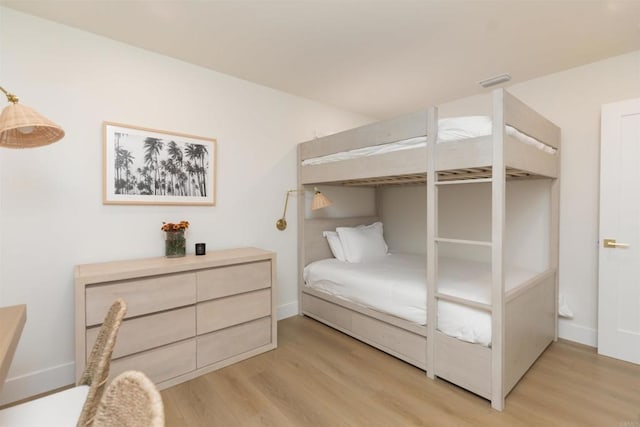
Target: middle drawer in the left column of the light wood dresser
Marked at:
154, 330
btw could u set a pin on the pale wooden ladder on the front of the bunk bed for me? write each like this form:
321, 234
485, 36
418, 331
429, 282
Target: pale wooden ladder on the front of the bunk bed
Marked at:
496, 308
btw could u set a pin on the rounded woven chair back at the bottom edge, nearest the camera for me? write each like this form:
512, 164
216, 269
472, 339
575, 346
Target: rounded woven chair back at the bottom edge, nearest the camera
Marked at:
131, 400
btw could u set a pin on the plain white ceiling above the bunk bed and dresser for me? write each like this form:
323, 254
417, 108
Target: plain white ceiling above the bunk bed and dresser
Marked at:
379, 58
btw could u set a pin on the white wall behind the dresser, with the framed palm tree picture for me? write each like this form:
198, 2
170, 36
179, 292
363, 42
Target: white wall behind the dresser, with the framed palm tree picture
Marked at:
51, 211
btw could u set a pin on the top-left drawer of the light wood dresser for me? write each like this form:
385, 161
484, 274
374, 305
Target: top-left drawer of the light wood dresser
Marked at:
142, 296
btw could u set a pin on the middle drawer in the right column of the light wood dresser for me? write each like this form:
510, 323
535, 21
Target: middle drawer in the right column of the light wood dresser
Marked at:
221, 313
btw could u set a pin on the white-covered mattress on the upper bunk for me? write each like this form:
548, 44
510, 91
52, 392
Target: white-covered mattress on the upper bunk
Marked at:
451, 129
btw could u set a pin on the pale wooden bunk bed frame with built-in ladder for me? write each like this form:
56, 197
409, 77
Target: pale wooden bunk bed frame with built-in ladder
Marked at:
517, 143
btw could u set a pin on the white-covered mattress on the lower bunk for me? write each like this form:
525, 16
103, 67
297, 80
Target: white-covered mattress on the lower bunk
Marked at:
396, 285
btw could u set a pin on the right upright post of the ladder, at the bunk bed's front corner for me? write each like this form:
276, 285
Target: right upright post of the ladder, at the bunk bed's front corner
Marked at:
497, 257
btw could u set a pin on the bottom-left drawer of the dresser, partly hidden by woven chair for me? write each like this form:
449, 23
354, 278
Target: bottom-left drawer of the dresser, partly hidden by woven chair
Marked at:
160, 364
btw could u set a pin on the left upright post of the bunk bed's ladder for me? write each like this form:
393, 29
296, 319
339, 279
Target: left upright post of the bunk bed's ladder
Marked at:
432, 250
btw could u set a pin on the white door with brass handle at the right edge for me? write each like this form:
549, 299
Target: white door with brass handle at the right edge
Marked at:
619, 253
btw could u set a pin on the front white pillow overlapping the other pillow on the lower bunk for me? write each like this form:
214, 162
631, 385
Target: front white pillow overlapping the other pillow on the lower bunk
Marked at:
362, 243
